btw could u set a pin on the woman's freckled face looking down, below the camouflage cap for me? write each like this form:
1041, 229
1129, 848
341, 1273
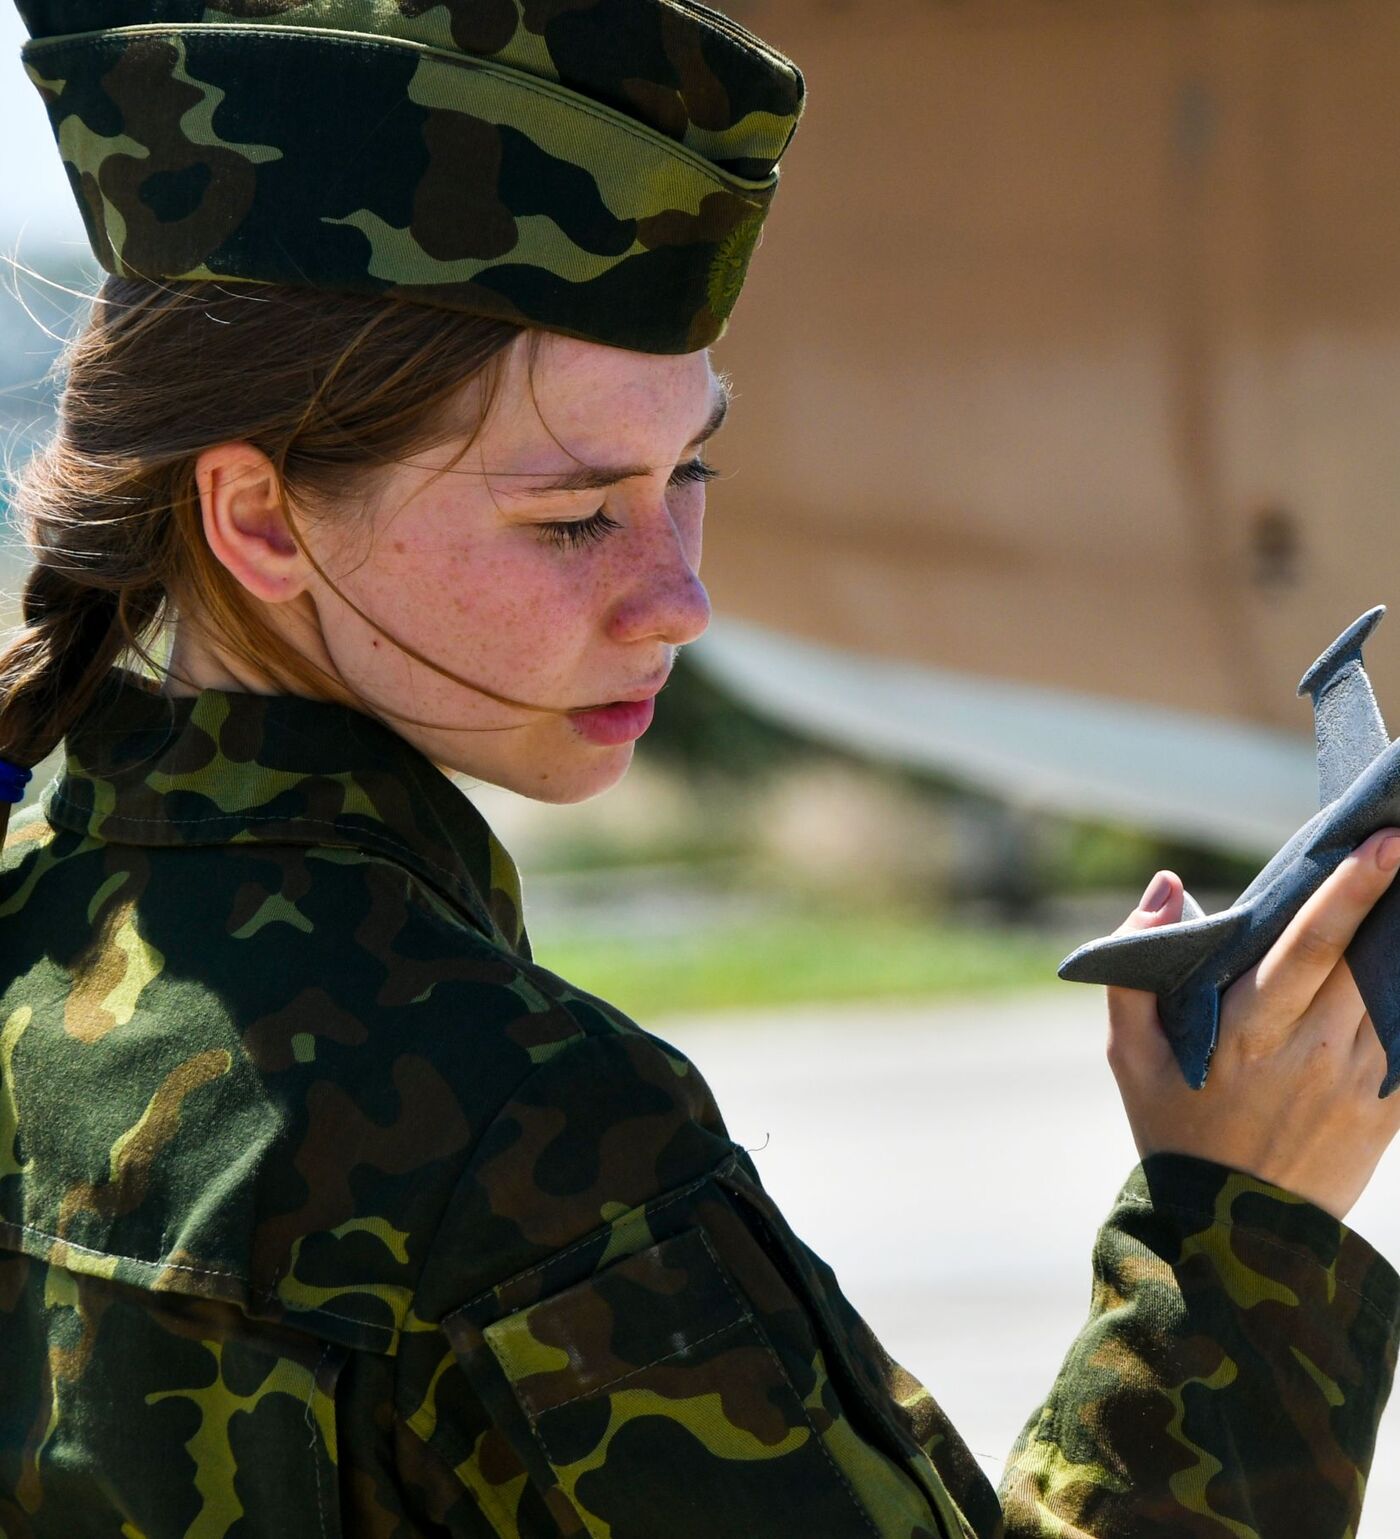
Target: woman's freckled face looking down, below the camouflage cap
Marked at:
556, 564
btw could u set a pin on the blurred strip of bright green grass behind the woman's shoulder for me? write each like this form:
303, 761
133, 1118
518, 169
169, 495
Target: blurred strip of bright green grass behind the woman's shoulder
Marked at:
798, 958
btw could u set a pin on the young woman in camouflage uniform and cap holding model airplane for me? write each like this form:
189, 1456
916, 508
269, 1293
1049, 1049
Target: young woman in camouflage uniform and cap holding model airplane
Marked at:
324, 1209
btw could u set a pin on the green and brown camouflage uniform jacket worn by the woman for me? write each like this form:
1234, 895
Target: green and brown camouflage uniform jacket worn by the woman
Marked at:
325, 1210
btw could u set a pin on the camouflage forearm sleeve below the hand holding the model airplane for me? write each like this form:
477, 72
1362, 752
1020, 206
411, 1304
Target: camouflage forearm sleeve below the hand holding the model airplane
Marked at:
1230, 1380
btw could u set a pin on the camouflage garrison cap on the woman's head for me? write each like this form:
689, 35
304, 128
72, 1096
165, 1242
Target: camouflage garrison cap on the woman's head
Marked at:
593, 167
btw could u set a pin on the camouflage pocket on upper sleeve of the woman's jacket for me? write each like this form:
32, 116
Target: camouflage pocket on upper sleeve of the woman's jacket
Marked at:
684, 1392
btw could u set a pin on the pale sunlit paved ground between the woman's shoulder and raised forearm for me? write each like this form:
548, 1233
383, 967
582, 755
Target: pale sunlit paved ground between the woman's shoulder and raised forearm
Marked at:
953, 1164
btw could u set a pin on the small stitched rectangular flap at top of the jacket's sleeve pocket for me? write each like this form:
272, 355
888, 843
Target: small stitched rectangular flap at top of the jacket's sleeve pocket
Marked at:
644, 1310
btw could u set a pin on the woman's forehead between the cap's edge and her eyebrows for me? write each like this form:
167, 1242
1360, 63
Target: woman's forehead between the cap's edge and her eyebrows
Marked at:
585, 402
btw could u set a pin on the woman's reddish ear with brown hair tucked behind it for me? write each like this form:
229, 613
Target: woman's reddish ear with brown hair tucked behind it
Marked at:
245, 524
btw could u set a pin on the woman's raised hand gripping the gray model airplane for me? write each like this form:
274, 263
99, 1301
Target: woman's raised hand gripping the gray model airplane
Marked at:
1293, 1089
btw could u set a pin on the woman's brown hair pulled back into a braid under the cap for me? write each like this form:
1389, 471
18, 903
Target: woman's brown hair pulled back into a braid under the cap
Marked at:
327, 386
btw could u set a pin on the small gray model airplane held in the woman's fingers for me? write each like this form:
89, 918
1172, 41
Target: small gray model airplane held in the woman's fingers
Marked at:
1190, 964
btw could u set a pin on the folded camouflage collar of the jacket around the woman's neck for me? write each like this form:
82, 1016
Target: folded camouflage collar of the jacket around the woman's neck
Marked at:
224, 767
